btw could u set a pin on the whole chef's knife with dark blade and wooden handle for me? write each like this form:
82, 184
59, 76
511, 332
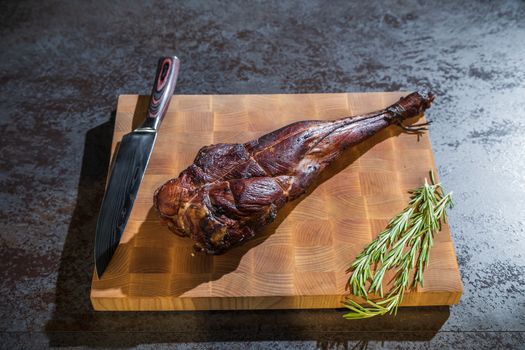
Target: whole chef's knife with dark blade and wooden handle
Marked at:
130, 164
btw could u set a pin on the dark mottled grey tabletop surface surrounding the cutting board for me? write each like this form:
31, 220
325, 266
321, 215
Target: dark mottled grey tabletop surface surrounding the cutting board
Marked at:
63, 64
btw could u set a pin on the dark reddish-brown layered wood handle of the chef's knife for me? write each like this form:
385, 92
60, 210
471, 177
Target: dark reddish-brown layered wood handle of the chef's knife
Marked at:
165, 80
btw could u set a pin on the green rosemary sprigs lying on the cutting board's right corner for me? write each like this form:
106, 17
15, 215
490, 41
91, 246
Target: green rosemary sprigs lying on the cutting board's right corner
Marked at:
403, 245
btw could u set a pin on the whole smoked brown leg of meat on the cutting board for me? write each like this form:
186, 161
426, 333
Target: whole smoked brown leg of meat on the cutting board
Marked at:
231, 190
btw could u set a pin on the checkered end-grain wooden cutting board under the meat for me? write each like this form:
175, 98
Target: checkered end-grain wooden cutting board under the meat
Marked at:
300, 260
